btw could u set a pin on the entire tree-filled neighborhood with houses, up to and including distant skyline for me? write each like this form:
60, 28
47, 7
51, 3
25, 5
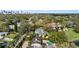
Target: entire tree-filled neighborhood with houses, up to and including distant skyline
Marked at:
38, 30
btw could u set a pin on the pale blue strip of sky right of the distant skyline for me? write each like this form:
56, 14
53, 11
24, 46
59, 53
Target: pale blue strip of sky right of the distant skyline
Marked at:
54, 11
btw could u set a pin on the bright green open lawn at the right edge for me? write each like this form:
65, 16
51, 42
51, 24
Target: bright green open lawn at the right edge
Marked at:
72, 35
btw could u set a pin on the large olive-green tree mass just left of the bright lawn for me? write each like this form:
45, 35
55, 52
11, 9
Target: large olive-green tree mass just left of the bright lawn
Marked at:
58, 37
